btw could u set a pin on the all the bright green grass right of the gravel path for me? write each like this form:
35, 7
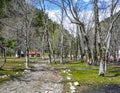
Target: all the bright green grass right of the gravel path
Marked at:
87, 76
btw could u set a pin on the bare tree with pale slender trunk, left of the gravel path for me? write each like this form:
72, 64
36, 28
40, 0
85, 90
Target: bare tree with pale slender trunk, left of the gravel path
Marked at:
23, 12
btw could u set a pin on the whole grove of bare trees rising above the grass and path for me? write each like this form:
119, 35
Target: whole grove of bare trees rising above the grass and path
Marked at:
25, 27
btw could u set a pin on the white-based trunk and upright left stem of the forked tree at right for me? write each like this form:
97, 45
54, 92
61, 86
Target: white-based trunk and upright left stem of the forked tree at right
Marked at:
102, 68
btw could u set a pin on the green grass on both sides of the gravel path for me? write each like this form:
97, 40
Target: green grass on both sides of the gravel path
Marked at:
87, 76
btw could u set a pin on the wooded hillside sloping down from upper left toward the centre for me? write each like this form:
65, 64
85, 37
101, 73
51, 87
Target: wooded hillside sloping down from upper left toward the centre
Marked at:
15, 25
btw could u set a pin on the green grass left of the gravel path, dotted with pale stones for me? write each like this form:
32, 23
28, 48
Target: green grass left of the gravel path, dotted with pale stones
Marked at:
14, 67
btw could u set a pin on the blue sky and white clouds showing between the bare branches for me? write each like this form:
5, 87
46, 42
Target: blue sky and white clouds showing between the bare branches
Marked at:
86, 11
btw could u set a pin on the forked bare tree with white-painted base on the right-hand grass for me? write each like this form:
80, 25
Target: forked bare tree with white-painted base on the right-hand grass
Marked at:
103, 45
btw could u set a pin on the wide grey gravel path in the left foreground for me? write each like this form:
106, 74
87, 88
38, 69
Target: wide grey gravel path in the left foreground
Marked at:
42, 79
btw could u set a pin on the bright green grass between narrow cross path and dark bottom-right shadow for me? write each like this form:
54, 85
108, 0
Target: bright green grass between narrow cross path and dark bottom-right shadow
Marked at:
89, 79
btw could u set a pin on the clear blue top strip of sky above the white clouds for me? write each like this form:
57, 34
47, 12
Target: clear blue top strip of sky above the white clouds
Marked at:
86, 5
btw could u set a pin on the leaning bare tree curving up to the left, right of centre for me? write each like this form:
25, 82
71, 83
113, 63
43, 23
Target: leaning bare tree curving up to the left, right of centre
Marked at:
81, 31
